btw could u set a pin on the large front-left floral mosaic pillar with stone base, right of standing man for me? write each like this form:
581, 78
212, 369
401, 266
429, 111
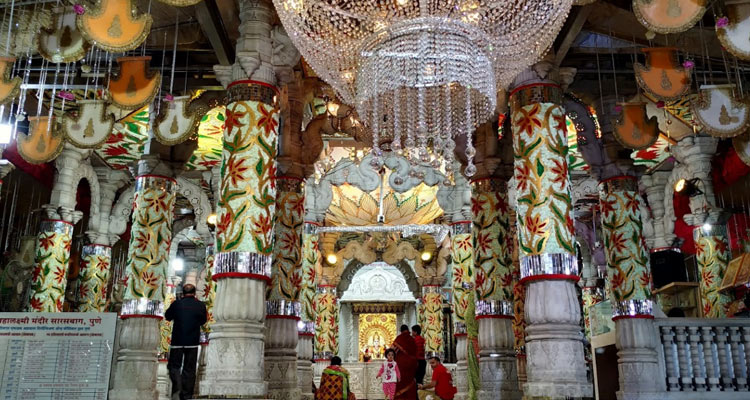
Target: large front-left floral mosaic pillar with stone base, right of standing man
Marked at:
244, 241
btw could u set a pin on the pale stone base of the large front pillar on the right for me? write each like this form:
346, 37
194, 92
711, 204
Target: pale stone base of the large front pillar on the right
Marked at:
554, 342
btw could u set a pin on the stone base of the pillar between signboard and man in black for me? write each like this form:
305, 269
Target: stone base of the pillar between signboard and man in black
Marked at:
136, 371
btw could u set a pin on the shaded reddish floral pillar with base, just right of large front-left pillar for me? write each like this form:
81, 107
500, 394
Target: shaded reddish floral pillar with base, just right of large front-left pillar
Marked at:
283, 306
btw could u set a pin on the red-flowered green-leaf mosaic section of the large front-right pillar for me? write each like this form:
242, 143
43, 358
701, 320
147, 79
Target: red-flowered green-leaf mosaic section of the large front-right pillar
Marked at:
541, 171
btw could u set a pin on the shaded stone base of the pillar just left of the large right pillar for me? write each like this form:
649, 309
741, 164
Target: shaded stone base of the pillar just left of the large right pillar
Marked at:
497, 361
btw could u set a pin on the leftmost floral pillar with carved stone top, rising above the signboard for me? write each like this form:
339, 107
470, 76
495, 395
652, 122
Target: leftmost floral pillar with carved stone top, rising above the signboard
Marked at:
50, 277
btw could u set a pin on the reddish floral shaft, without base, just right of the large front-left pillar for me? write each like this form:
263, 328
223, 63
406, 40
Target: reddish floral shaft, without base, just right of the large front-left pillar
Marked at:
286, 271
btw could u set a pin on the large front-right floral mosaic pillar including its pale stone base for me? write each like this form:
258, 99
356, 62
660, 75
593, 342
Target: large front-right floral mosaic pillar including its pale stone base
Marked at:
555, 360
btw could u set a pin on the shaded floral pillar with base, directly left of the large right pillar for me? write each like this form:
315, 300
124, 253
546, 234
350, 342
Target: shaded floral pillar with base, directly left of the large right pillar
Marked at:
493, 260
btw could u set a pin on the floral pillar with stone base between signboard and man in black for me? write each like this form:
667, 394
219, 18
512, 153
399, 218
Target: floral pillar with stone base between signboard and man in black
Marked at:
143, 300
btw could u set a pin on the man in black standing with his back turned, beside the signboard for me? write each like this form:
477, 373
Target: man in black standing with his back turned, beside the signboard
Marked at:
187, 314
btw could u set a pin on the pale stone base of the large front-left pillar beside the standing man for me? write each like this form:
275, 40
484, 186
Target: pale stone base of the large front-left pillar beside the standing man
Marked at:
234, 358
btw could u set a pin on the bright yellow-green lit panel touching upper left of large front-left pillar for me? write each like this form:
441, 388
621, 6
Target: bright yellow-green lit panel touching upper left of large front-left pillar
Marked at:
210, 133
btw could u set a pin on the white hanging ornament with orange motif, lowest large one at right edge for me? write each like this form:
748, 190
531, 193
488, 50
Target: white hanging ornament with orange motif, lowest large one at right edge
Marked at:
721, 113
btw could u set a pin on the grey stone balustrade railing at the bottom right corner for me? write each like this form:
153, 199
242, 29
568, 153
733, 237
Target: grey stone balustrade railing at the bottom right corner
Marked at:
709, 358
